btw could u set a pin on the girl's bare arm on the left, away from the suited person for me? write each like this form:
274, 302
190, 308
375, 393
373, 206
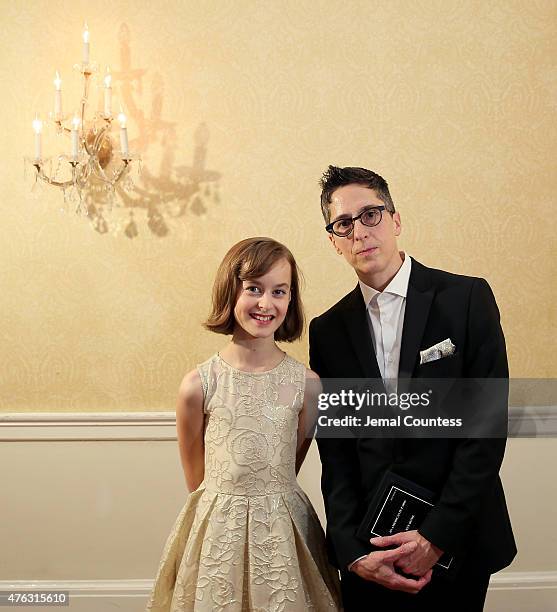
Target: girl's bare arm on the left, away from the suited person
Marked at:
190, 429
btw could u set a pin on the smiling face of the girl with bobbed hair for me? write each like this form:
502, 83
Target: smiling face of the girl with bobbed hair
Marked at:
262, 303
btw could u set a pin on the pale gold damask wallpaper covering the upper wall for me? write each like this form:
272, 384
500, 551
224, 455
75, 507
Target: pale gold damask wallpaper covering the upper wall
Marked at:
236, 108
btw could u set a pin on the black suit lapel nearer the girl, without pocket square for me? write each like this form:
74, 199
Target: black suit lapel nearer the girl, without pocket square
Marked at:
355, 319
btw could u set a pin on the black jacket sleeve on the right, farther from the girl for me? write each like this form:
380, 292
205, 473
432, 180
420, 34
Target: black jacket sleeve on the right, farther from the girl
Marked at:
476, 462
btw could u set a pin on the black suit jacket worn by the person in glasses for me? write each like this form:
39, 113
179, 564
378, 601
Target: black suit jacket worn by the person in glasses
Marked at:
470, 519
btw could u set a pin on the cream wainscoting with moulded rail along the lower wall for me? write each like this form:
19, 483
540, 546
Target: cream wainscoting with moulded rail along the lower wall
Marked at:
87, 501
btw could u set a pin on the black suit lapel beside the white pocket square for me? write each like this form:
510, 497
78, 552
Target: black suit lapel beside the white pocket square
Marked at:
418, 302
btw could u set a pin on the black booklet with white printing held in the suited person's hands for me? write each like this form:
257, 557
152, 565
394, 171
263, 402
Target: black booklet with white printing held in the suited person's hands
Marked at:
398, 505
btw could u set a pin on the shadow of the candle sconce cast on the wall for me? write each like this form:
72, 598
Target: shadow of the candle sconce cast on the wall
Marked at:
173, 190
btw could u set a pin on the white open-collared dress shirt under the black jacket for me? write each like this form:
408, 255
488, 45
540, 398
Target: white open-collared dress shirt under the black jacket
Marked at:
386, 317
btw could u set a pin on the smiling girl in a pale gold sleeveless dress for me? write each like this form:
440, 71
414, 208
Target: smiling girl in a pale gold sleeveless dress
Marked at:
247, 538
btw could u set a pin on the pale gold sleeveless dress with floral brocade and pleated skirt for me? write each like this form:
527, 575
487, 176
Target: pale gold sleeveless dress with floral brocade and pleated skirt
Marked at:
247, 538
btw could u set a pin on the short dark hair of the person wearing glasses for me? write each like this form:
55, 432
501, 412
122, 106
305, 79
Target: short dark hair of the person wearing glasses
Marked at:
335, 177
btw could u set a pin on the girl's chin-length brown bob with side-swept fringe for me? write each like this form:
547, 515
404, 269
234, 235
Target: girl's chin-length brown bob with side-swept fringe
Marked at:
247, 260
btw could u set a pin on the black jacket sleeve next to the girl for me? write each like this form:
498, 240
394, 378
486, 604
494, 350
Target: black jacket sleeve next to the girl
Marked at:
340, 479
